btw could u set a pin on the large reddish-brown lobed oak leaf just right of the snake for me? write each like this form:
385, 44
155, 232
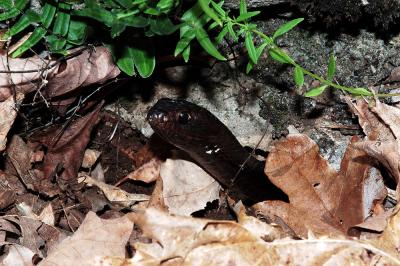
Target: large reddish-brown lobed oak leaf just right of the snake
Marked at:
321, 200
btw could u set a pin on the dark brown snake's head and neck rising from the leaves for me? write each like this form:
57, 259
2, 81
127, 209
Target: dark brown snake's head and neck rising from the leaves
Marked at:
212, 145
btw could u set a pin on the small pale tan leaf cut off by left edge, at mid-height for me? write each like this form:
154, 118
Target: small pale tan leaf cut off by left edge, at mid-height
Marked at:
8, 113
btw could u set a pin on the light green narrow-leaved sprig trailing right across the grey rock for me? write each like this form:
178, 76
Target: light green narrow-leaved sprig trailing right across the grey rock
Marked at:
241, 26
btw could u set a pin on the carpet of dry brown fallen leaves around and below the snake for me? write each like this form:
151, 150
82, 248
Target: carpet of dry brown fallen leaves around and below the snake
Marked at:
76, 193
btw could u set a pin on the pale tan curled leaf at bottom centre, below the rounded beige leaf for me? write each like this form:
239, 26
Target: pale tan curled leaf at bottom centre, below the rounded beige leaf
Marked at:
178, 235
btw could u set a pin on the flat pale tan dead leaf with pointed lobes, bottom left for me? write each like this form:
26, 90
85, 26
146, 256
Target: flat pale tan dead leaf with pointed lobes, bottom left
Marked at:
95, 238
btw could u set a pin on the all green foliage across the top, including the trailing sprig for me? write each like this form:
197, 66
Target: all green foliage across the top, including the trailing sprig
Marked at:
60, 24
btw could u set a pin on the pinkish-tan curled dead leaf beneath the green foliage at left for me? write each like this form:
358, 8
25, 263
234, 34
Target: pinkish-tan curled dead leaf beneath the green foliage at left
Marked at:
88, 67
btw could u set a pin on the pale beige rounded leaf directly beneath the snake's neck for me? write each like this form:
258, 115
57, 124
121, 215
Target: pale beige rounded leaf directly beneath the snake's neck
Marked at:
187, 187
